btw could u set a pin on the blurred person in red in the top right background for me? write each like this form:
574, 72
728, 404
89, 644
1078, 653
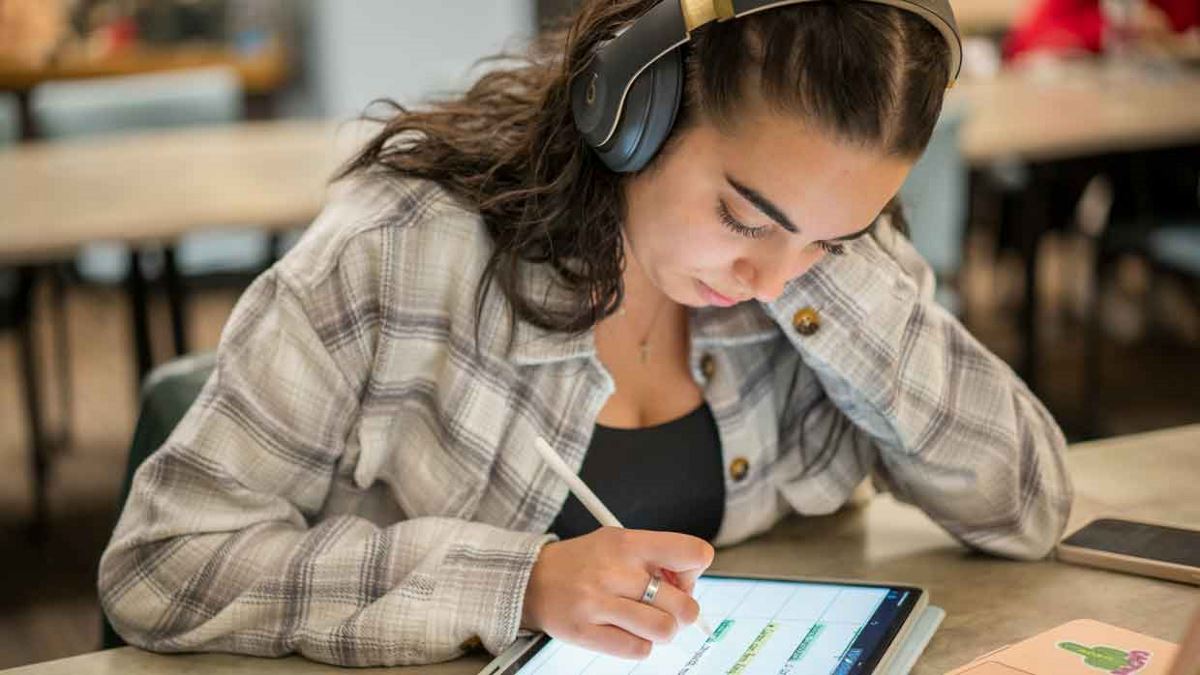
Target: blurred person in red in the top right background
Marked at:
1079, 26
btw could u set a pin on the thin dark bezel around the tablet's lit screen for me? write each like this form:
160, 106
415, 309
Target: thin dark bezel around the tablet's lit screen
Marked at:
526, 648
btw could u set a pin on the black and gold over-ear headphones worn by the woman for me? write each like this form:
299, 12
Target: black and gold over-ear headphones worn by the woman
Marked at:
626, 99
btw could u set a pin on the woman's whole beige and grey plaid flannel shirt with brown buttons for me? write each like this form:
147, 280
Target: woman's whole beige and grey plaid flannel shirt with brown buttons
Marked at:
358, 483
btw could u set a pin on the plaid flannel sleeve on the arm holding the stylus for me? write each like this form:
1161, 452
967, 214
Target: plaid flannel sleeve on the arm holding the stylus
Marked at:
220, 547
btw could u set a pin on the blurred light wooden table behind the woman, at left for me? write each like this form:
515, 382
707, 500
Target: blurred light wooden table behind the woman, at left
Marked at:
157, 187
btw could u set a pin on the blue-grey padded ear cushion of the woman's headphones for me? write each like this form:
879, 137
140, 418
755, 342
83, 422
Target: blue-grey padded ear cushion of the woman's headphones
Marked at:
647, 117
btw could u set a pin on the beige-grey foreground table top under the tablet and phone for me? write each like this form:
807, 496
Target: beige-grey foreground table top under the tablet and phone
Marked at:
989, 602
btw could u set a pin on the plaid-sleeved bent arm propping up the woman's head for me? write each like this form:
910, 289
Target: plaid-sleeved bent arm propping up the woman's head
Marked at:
953, 429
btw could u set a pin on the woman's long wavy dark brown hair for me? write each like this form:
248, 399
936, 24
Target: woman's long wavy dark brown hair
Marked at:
866, 73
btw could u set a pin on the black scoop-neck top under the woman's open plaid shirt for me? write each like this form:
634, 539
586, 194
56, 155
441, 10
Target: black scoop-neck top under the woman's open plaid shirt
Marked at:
667, 479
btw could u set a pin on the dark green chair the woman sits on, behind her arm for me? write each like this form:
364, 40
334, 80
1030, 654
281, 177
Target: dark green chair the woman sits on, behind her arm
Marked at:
167, 395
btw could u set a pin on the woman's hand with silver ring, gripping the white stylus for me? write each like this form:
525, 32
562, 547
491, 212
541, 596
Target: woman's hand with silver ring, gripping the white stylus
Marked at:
589, 590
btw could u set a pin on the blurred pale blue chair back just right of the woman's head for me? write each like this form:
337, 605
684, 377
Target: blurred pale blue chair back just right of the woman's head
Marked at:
935, 202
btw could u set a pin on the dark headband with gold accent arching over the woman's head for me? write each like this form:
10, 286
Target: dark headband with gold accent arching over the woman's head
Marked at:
599, 92
